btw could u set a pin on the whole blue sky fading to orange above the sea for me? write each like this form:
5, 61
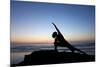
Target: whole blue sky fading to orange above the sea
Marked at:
31, 22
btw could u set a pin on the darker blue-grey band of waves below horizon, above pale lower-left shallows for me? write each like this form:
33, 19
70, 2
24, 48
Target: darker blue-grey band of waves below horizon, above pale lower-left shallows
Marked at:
89, 47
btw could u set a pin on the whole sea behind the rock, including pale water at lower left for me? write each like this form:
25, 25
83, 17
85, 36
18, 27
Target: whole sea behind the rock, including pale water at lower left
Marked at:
18, 51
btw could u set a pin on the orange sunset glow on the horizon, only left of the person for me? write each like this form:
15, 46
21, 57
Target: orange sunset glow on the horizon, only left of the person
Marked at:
30, 39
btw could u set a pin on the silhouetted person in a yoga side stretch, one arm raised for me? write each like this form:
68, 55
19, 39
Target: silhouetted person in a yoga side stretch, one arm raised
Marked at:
60, 41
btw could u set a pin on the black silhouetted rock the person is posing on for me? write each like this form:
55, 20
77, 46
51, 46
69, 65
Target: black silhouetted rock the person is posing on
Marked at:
54, 57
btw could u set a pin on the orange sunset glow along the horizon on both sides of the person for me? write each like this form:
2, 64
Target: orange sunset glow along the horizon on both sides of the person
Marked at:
49, 40
